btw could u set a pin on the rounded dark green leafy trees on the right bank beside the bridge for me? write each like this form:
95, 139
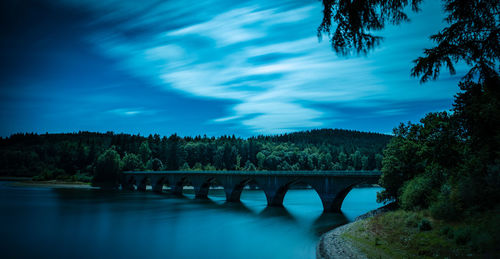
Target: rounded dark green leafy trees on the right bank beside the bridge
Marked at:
436, 164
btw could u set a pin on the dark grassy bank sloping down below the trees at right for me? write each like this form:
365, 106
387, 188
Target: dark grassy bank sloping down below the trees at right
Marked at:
403, 234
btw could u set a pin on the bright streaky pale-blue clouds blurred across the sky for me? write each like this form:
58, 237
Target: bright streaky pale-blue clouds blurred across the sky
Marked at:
262, 55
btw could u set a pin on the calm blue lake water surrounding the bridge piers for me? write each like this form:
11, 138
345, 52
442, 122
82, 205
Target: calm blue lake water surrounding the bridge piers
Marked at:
76, 223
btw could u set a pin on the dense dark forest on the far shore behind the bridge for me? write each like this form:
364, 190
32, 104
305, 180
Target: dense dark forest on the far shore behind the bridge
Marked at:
87, 156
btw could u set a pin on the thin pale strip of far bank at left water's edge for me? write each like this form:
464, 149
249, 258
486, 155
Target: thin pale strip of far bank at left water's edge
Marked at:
28, 182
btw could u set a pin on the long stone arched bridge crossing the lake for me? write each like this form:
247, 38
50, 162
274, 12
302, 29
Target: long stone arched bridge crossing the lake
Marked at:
331, 186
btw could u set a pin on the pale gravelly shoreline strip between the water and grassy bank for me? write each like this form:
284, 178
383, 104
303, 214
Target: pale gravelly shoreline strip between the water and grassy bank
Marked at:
332, 245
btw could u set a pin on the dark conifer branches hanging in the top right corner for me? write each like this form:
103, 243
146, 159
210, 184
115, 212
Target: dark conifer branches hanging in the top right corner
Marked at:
471, 37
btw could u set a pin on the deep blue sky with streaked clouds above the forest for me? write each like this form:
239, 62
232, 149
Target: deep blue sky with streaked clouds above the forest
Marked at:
205, 67
